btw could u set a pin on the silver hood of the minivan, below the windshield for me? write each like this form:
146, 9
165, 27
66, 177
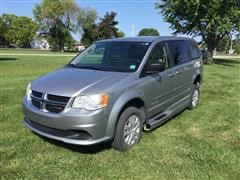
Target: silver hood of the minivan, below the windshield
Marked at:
71, 82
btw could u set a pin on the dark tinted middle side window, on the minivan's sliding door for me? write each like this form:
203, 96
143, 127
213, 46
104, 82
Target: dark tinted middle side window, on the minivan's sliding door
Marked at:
179, 51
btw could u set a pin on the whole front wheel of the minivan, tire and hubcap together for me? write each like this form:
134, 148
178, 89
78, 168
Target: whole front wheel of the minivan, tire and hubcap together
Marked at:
129, 128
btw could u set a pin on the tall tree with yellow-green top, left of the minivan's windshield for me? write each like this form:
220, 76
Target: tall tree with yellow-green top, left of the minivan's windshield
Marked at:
56, 20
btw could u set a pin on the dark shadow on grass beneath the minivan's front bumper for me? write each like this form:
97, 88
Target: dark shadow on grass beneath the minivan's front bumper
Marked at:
90, 149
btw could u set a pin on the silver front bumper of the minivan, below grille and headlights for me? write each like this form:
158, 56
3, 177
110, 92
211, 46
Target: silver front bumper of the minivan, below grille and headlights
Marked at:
71, 126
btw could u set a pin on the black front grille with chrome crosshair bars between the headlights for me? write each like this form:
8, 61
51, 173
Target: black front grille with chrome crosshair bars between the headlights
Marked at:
49, 102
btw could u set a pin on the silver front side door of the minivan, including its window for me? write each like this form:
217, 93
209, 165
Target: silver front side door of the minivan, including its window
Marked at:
157, 83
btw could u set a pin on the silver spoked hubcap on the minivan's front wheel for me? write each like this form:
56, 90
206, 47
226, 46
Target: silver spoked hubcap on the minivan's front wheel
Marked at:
131, 131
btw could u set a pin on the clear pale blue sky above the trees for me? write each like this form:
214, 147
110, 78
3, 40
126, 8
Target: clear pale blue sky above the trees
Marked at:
140, 12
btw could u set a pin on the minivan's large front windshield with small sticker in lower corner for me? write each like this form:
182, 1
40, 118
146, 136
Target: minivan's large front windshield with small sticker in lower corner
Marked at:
120, 56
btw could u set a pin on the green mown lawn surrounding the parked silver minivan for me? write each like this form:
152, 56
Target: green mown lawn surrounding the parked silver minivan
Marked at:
200, 144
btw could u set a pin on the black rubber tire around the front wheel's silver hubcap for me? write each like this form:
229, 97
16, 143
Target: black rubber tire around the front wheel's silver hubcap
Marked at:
119, 141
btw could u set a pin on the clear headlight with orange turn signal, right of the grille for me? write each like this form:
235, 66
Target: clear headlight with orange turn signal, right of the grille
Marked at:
91, 102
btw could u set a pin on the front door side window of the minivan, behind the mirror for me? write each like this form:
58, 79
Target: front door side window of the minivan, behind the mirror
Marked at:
158, 56
